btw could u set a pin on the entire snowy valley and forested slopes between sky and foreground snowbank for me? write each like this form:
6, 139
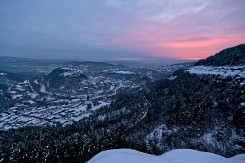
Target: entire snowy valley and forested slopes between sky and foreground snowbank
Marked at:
74, 110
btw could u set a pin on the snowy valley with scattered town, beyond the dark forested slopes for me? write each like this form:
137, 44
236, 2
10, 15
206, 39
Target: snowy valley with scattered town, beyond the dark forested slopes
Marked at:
71, 92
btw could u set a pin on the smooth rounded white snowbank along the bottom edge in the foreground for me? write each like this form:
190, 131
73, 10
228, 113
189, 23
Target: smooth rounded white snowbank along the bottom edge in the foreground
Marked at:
174, 156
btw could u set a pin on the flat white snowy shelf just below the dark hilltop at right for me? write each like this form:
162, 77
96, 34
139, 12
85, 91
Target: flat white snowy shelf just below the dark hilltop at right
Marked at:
224, 71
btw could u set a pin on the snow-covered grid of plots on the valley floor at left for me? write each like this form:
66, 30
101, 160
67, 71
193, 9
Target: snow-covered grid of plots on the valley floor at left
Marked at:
15, 118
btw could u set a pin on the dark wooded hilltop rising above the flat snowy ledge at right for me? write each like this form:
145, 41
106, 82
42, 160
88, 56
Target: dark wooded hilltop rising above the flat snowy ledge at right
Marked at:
229, 56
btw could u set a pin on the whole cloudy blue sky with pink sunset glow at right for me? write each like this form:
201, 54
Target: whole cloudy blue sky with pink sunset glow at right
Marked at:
120, 29
